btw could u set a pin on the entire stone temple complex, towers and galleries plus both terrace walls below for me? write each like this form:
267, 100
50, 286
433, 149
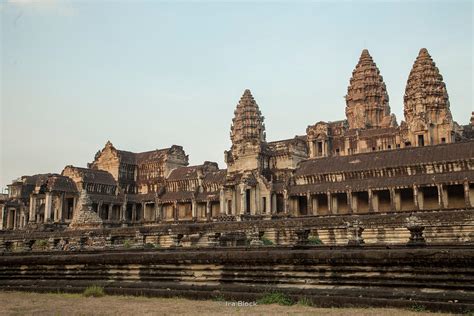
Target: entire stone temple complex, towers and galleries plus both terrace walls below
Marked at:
389, 205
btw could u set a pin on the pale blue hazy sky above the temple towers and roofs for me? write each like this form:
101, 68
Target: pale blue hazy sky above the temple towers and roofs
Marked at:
150, 74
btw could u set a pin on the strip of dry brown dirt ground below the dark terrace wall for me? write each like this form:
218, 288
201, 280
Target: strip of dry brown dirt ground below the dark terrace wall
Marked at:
19, 303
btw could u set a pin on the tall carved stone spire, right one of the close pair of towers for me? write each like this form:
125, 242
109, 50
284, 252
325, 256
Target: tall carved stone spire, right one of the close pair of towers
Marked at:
426, 101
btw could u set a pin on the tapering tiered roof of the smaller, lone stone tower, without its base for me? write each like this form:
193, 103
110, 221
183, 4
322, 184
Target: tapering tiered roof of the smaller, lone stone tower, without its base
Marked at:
247, 125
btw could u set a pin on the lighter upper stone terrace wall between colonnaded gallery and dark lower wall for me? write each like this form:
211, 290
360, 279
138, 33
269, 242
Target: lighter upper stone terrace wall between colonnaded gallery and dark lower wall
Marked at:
390, 228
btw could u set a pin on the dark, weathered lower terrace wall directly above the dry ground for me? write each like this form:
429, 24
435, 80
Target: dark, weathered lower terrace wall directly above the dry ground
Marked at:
437, 278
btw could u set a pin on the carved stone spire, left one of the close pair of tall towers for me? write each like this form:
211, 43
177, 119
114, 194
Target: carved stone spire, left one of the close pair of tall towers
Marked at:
367, 98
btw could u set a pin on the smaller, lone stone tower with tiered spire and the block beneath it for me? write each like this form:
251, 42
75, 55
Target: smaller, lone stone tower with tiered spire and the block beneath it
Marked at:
247, 134
